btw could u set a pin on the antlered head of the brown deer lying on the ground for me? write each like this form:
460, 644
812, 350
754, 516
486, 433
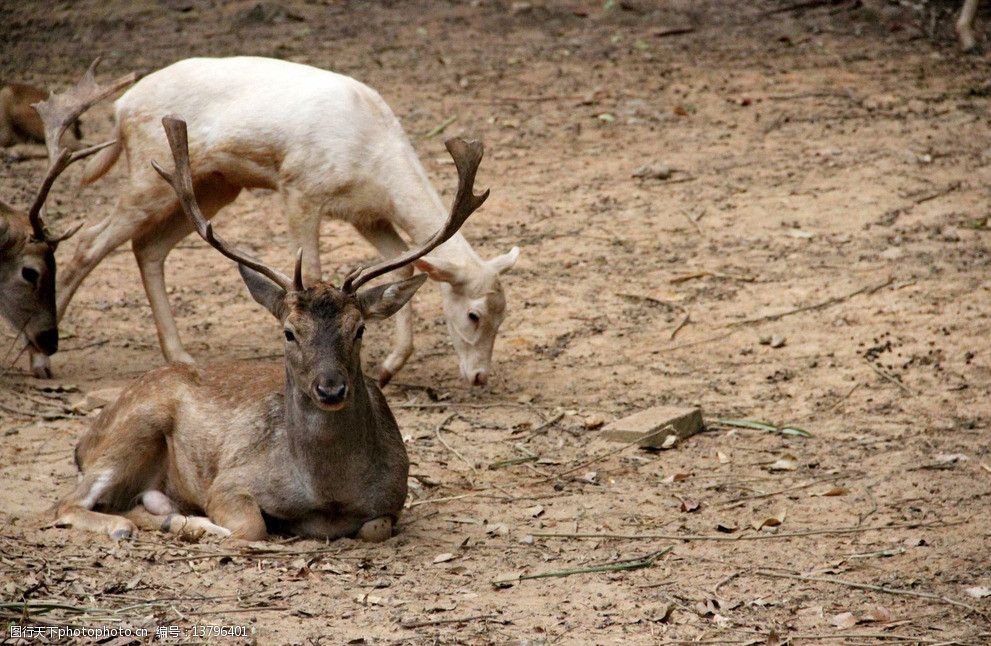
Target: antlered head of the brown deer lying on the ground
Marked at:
323, 324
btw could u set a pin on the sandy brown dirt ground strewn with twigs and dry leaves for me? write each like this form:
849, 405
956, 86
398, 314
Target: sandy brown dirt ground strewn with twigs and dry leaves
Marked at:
829, 188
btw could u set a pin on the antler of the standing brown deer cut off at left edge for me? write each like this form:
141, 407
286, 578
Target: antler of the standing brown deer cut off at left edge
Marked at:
57, 114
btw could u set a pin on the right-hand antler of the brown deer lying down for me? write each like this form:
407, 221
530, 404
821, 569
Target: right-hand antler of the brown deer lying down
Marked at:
467, 156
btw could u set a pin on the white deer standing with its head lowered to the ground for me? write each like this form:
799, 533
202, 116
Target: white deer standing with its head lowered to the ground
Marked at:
329, 145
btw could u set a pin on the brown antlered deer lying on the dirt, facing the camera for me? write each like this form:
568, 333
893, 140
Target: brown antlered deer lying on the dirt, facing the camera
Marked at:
310, 448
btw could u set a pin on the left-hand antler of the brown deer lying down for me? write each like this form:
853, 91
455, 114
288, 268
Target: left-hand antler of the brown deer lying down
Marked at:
182, 183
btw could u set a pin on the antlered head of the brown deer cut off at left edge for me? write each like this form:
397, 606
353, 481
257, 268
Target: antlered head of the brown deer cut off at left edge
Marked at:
27, 246
